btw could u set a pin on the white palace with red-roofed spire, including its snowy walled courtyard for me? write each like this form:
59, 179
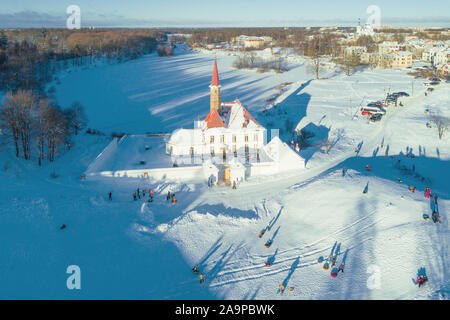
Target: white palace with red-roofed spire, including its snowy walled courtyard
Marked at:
228, 146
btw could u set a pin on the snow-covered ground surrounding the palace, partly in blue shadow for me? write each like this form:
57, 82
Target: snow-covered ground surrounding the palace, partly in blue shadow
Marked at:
133, 249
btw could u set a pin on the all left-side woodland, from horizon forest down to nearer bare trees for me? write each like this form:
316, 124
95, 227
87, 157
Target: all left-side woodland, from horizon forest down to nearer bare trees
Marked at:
32, 122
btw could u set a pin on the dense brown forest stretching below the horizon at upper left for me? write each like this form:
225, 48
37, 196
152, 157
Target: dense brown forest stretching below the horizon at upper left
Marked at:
30, 57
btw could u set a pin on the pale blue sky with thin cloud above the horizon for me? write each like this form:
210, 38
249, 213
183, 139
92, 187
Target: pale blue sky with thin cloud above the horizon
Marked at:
222, 13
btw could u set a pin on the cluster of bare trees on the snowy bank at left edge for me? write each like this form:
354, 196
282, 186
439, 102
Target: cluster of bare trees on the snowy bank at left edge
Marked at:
38, 125
